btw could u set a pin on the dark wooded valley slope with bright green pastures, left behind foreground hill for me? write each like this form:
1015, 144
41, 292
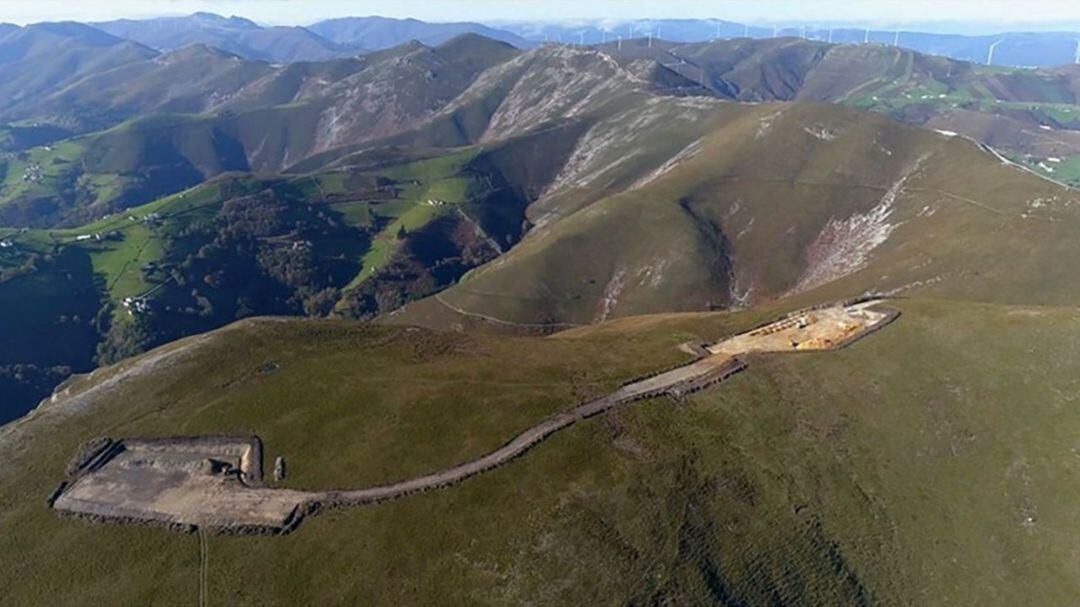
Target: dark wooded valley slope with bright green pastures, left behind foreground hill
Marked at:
362, 241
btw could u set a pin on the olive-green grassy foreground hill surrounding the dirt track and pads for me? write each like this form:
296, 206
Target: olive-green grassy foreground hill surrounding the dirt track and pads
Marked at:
927, 465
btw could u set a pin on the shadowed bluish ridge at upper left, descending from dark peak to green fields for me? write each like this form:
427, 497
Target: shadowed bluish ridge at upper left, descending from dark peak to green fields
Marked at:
265, 119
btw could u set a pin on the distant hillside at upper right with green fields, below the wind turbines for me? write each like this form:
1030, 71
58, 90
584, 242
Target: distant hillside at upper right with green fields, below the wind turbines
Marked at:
1031, 116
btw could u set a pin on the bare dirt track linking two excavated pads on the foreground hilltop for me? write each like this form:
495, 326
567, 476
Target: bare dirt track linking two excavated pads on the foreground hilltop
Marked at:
217, 483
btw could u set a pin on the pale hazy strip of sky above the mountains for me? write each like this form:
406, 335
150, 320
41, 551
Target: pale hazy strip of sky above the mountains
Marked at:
1011, 15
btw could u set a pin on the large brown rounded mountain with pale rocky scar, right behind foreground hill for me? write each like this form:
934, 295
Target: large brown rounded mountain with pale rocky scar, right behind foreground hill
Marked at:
774, 201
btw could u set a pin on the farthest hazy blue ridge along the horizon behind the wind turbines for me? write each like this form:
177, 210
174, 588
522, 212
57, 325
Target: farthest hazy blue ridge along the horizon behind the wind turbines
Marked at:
348, 37
